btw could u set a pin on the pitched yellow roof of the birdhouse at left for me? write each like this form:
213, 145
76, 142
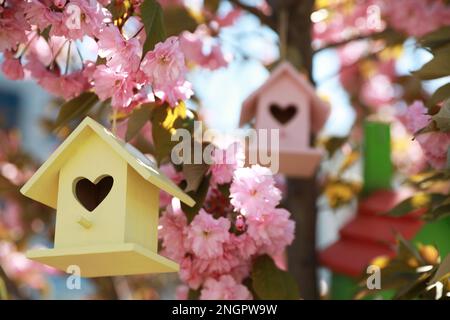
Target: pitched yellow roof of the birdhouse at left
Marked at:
46, 177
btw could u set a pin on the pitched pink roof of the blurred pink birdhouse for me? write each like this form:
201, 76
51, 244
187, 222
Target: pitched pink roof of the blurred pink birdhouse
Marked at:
319, 109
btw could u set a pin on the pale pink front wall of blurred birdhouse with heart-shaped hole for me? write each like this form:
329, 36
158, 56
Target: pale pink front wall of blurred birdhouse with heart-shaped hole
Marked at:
284, 106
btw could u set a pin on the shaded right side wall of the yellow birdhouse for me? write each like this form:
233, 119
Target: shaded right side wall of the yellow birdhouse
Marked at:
142, 211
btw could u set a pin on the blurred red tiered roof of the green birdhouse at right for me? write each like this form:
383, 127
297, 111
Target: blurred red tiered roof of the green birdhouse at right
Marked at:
370, 234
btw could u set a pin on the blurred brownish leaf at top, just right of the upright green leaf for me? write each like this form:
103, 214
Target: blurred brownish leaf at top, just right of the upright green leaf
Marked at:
177, 20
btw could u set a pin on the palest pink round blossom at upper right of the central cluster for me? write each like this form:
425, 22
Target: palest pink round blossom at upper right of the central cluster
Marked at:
253, 190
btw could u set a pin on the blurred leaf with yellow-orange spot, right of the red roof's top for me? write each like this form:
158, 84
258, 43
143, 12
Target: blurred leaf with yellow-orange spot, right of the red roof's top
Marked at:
417, 201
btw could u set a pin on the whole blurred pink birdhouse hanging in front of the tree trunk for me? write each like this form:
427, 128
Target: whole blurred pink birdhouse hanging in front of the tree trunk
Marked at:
288, 102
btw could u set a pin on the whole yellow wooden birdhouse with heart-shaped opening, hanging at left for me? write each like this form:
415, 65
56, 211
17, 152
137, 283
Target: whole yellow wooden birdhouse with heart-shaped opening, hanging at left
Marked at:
106, 196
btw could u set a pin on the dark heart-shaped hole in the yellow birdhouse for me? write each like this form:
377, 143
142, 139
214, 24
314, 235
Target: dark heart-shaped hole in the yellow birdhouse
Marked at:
89, 194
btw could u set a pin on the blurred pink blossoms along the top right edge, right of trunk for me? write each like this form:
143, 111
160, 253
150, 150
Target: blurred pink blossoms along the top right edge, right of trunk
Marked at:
411, 17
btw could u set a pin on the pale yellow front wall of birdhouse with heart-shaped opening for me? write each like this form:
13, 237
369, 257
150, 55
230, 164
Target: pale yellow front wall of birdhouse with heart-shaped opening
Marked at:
79, 222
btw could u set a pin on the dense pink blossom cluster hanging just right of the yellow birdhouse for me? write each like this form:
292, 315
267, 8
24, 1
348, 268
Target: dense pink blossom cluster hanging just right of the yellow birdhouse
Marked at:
216, 249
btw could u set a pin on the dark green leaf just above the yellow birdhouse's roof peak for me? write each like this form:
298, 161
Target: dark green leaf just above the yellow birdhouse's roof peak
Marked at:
75, 108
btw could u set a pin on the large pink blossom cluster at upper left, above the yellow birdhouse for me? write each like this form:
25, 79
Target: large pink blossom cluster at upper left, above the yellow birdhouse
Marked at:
71, 46
